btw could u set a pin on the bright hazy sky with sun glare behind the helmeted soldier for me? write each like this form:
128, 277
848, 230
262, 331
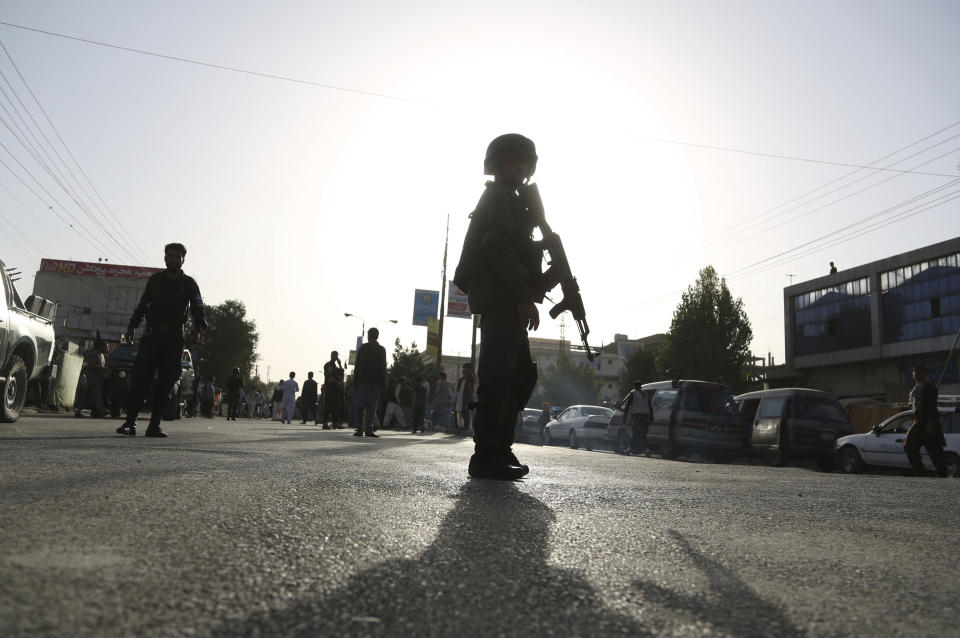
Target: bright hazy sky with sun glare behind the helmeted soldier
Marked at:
307, 202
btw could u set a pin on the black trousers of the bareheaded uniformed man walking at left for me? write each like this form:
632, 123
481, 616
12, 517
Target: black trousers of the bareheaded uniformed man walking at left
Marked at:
160, 355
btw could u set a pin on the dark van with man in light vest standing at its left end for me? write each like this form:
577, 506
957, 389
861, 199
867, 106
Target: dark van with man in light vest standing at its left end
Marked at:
695, 415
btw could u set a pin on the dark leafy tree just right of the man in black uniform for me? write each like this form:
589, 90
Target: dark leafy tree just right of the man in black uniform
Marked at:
230, 341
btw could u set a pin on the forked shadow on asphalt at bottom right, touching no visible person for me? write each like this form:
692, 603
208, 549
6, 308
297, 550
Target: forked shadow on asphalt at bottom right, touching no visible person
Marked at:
729, 604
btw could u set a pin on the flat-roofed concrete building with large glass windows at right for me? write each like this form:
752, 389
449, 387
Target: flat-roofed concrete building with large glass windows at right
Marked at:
860, 331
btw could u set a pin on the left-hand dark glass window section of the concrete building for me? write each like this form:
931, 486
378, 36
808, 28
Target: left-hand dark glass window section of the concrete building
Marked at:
833, 318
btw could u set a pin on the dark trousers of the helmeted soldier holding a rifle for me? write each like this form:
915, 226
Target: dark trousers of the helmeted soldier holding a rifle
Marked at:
507, 375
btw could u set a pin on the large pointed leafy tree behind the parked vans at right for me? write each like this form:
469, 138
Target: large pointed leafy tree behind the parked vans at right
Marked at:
710, 335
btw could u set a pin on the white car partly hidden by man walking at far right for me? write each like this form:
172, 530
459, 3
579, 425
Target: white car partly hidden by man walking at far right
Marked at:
883, 446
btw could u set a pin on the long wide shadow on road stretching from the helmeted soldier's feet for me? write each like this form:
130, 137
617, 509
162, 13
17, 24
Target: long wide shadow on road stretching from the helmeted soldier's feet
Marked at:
486, 574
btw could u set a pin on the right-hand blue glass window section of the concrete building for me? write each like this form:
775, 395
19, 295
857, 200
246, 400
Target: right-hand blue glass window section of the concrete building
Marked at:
921, 300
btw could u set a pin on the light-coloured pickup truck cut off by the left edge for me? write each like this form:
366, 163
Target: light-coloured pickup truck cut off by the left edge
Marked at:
26, 344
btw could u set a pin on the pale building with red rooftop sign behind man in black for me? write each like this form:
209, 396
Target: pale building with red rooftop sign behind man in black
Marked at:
91, 296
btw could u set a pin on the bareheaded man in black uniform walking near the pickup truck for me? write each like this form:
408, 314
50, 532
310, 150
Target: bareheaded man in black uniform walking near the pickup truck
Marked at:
164, 304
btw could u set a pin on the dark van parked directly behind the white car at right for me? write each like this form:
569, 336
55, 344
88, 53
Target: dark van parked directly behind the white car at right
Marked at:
792, 423
